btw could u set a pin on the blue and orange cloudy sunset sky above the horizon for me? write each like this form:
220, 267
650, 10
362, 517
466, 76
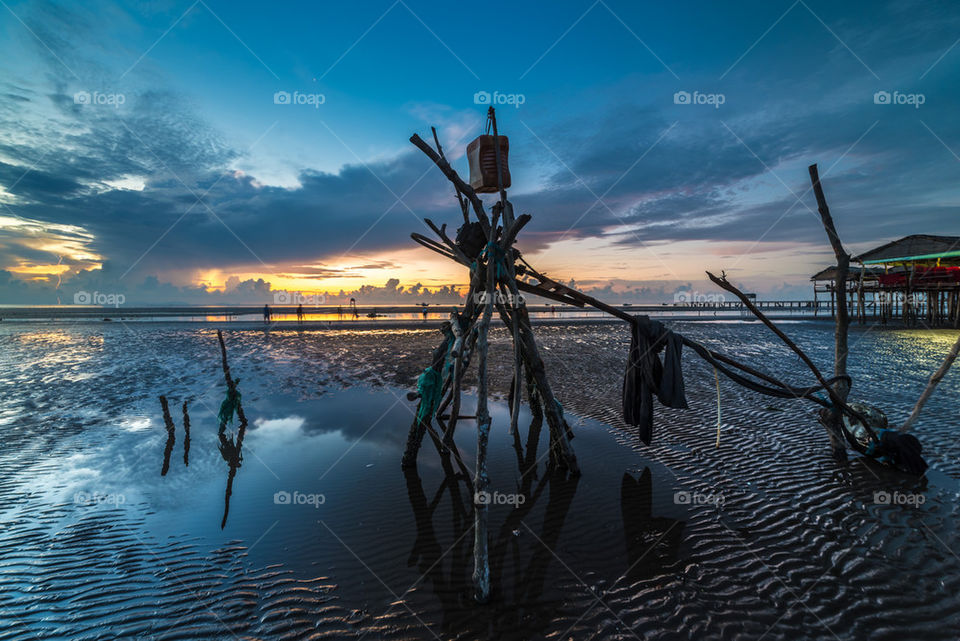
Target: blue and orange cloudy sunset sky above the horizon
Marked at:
212, 152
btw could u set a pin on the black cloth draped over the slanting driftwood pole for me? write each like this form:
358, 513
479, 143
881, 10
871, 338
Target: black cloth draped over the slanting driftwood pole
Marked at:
647, 375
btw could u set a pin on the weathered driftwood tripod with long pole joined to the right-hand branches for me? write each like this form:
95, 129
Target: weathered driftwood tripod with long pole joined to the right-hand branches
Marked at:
484, 245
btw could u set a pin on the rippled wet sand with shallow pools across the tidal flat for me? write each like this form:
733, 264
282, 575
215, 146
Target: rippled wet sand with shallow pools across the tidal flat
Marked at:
789, 546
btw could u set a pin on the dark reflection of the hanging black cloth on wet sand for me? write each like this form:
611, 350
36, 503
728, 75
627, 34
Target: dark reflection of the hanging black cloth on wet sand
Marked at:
652, 541
